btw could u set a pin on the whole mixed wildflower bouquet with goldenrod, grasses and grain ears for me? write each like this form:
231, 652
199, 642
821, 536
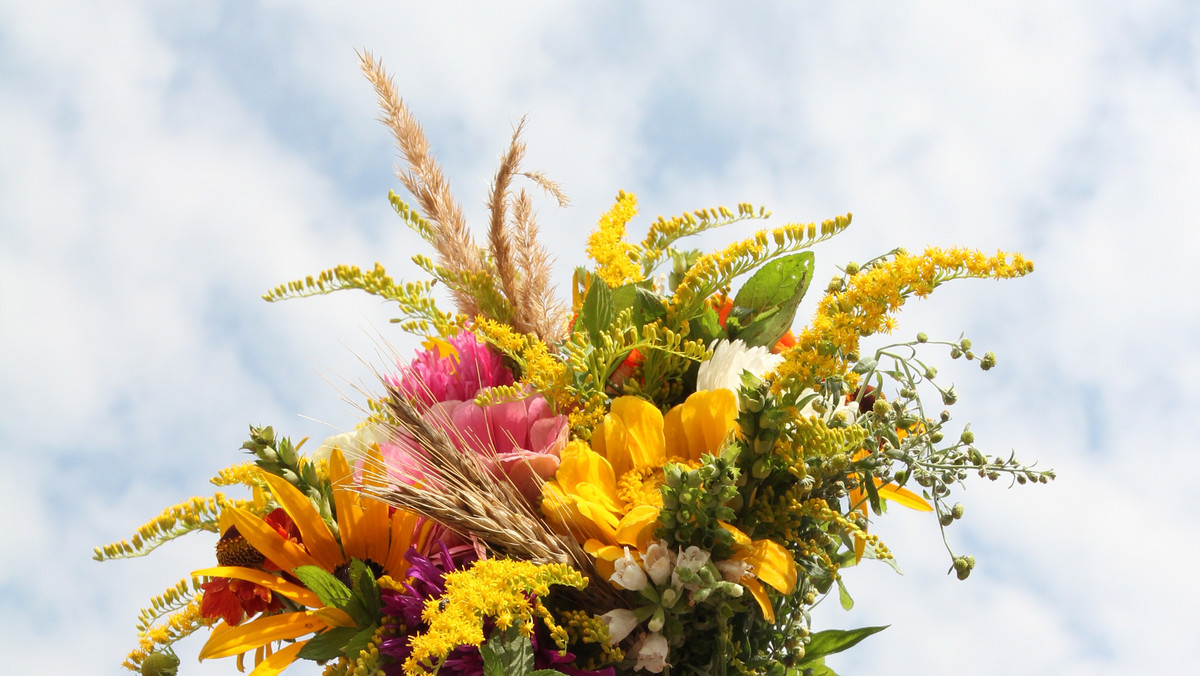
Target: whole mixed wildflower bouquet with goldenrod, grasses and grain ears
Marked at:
661, 477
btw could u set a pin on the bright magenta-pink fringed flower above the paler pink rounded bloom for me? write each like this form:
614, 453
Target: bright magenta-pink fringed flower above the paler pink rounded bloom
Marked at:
454, 370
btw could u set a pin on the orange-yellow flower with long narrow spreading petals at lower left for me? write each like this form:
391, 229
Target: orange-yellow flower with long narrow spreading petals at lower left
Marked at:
368, 530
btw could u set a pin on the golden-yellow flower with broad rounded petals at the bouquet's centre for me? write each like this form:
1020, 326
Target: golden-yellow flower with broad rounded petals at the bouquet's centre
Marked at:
608, 495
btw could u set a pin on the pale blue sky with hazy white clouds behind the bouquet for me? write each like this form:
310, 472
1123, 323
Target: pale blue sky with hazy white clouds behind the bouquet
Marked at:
165, 164
